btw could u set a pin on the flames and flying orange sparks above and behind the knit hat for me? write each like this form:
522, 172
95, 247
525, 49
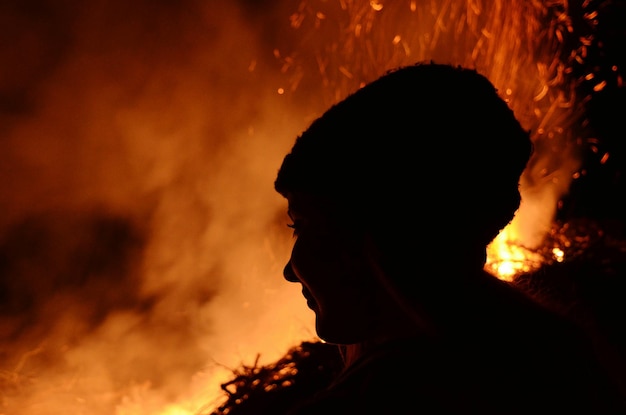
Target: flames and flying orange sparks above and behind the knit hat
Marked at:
518, 44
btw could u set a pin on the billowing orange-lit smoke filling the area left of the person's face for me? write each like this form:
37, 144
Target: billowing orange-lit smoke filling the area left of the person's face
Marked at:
140, 244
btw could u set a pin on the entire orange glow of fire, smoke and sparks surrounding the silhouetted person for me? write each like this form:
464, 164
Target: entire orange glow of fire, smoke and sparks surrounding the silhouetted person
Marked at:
141, 143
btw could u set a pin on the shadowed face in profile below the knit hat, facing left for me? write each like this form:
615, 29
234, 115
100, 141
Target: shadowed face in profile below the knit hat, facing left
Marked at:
330, 262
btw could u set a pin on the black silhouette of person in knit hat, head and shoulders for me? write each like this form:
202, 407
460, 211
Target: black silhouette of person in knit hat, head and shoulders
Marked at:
394, 194
